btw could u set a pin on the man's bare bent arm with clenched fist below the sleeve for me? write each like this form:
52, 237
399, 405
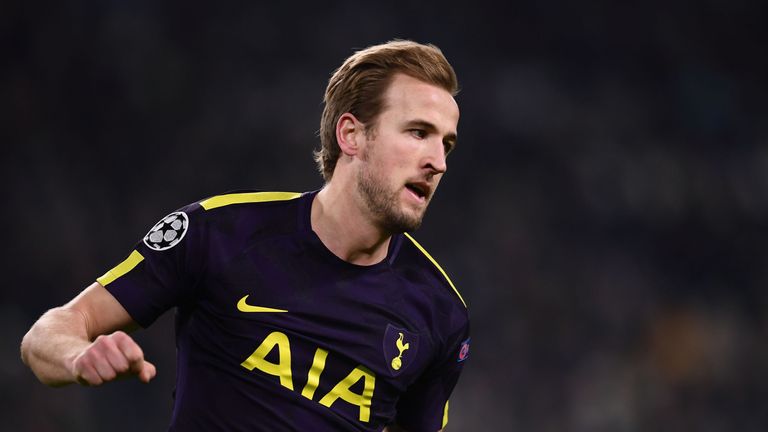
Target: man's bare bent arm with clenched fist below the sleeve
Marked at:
83, 342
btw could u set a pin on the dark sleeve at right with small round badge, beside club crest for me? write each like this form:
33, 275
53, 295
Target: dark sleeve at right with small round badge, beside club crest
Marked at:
424, 406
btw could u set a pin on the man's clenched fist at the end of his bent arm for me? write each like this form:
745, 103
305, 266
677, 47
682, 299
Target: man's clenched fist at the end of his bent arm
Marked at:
109, 357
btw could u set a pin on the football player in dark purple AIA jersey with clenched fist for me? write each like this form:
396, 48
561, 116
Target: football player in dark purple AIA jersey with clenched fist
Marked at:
297, 312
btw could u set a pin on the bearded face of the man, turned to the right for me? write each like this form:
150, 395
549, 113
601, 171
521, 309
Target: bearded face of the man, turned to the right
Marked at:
403, 159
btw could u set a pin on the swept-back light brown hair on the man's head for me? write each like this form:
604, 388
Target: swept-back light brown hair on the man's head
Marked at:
358, 87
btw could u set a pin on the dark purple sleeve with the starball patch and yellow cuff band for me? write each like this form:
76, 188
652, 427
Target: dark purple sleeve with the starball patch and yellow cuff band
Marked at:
162, 270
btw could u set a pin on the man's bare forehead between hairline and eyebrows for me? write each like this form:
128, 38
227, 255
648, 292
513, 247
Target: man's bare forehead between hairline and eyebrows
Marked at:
408, 98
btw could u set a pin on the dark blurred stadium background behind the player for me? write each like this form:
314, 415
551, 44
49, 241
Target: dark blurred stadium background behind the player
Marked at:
604, 214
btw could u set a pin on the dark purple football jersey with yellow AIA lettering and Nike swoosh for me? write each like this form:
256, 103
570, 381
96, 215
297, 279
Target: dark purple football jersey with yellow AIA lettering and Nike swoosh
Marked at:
276, 333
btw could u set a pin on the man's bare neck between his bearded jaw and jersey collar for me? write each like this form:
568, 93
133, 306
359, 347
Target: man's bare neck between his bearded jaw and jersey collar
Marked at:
345, 228
